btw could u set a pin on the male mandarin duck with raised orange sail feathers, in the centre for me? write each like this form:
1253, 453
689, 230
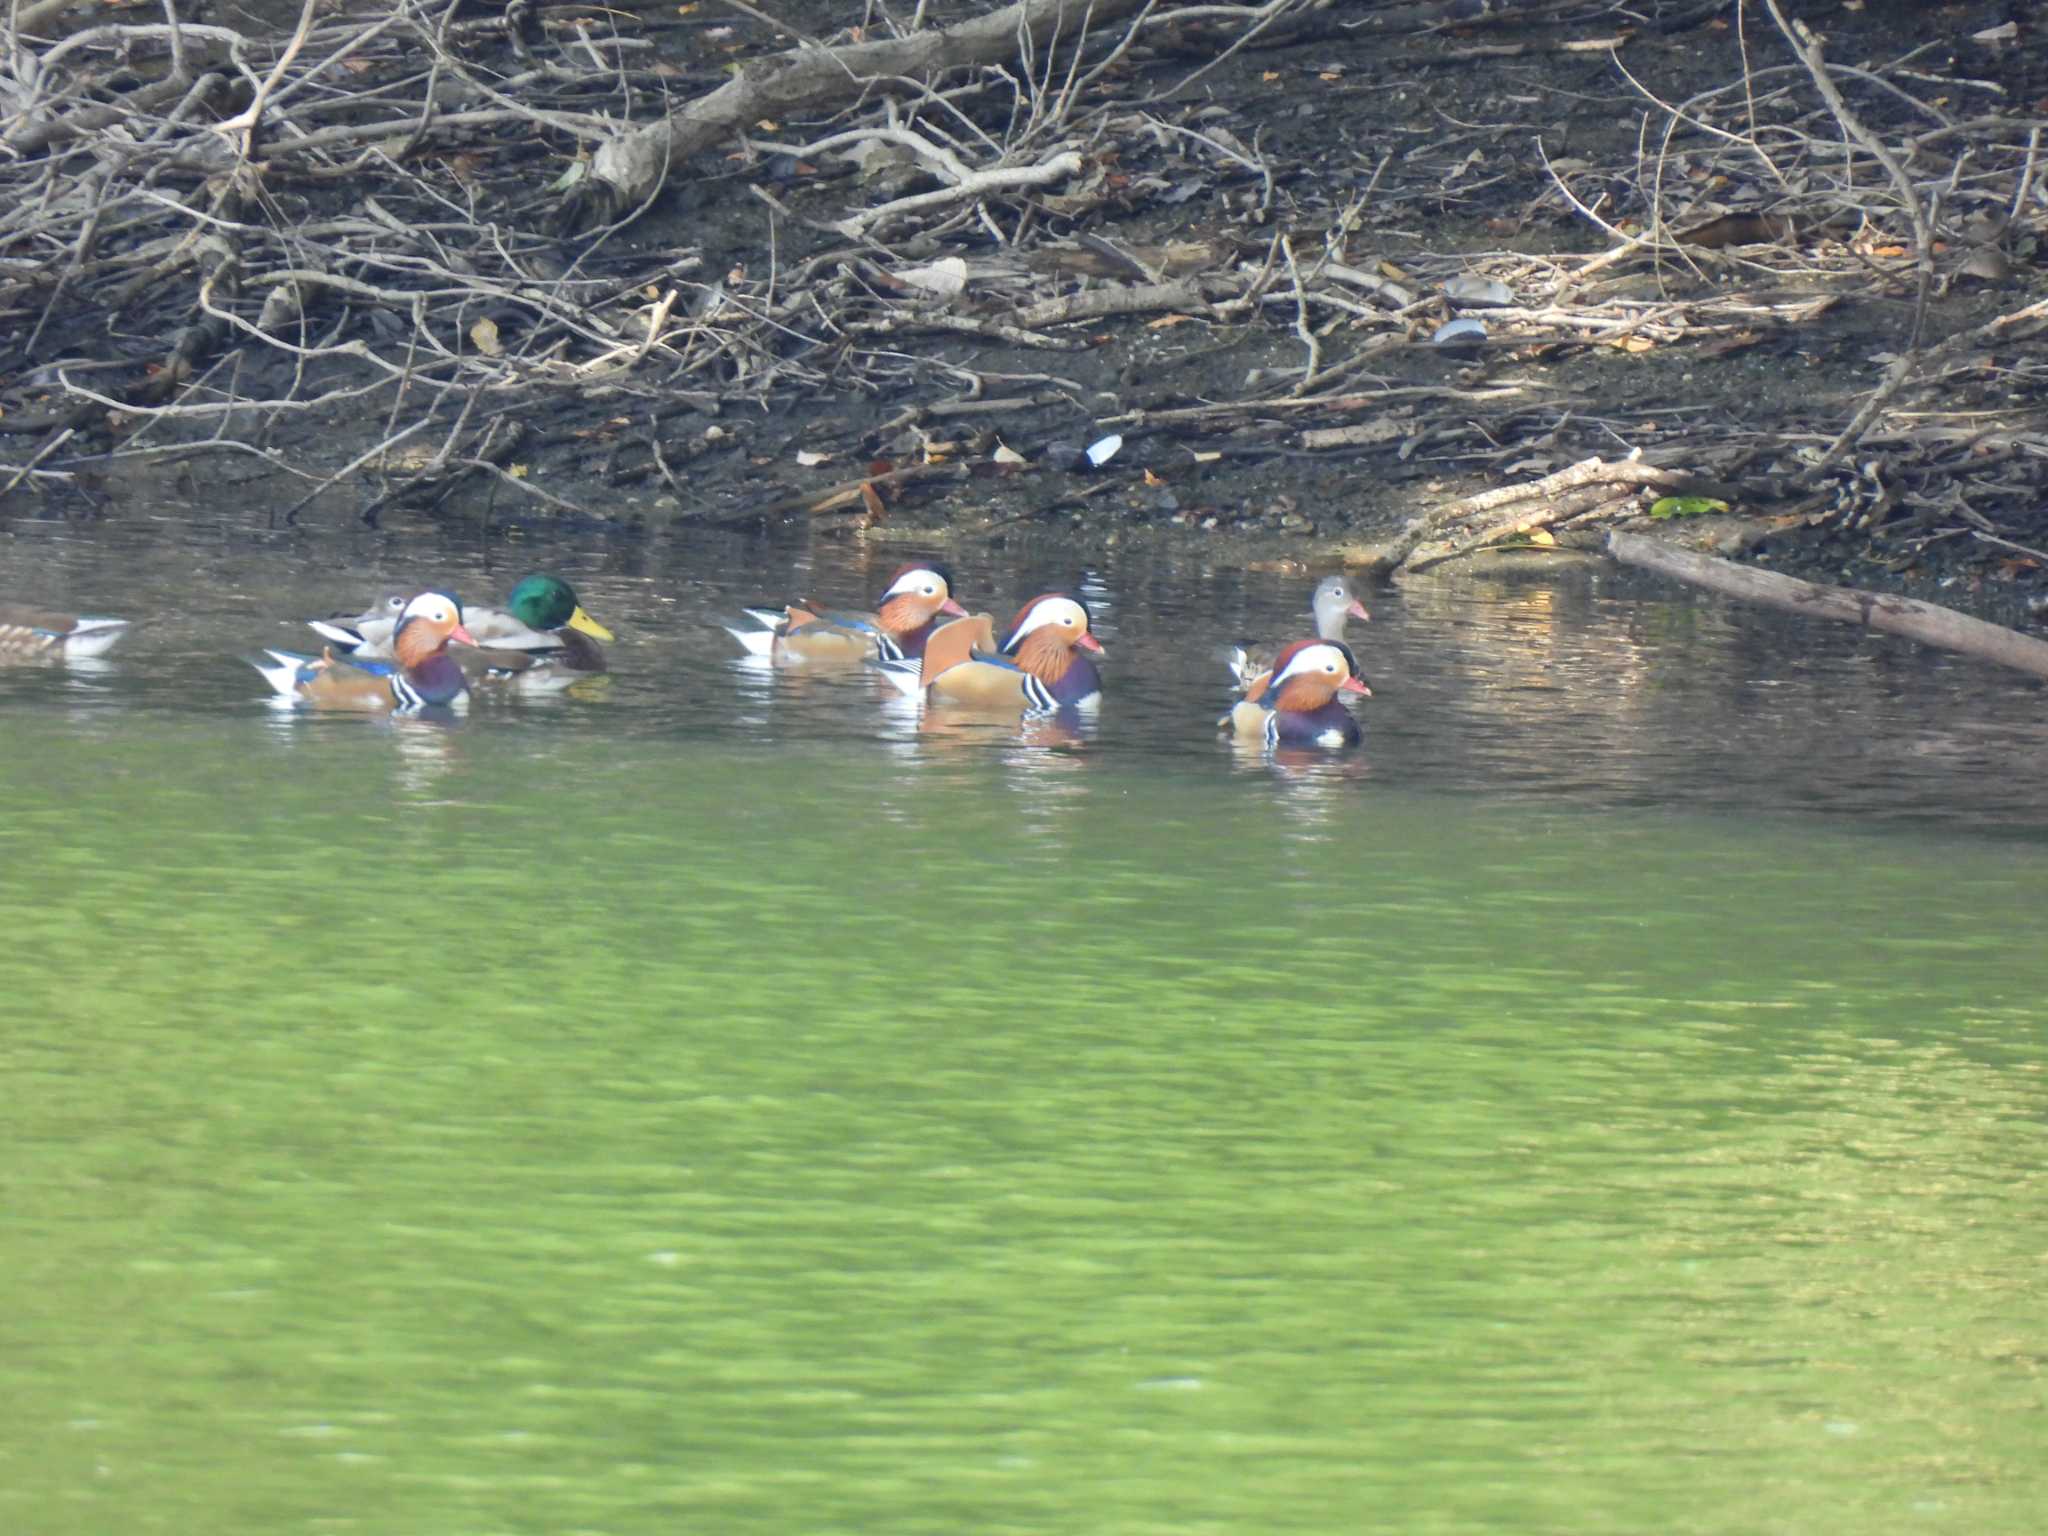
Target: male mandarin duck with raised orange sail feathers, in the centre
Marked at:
1037, 669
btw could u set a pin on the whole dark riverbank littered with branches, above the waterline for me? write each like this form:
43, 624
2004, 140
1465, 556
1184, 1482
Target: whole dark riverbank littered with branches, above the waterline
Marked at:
1232, 253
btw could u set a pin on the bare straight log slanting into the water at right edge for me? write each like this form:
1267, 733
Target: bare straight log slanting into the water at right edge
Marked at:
1924, 622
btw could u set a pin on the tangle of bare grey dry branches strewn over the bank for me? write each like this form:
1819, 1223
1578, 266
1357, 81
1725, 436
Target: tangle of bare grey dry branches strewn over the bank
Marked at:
482, 232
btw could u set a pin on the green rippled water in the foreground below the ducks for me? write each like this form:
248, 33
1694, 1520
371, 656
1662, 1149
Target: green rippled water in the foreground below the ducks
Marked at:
511, 1132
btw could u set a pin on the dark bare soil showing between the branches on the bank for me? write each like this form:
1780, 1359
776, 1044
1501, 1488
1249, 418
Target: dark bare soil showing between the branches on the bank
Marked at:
1428, 146
